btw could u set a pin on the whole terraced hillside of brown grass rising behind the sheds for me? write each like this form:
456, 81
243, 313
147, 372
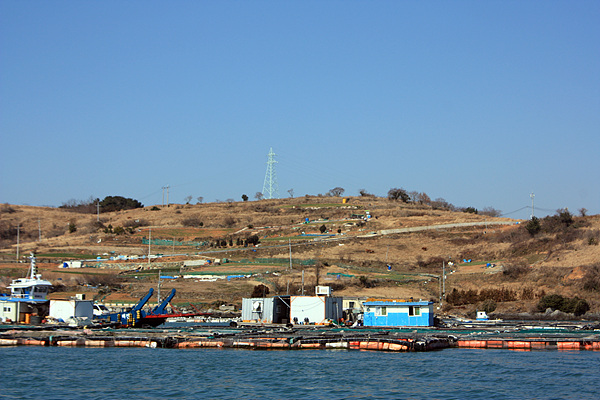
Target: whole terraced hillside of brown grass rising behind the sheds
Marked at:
509, 267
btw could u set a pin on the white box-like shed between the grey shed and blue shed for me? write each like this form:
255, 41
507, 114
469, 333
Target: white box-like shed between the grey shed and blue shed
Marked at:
315, 309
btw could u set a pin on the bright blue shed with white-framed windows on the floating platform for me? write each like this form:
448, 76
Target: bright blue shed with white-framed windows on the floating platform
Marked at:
398, 313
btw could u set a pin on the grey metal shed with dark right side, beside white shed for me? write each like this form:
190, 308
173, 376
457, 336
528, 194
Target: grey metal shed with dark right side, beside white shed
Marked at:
268, 310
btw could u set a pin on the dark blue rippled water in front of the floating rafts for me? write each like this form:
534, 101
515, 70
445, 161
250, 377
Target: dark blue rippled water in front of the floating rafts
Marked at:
132, 373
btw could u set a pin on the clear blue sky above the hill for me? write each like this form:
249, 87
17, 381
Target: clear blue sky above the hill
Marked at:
476, 102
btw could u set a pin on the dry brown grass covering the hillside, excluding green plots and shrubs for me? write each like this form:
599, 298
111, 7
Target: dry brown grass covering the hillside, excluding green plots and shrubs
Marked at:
542, 262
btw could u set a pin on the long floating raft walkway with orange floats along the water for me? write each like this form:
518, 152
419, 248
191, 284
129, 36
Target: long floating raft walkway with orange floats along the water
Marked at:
301, 339
